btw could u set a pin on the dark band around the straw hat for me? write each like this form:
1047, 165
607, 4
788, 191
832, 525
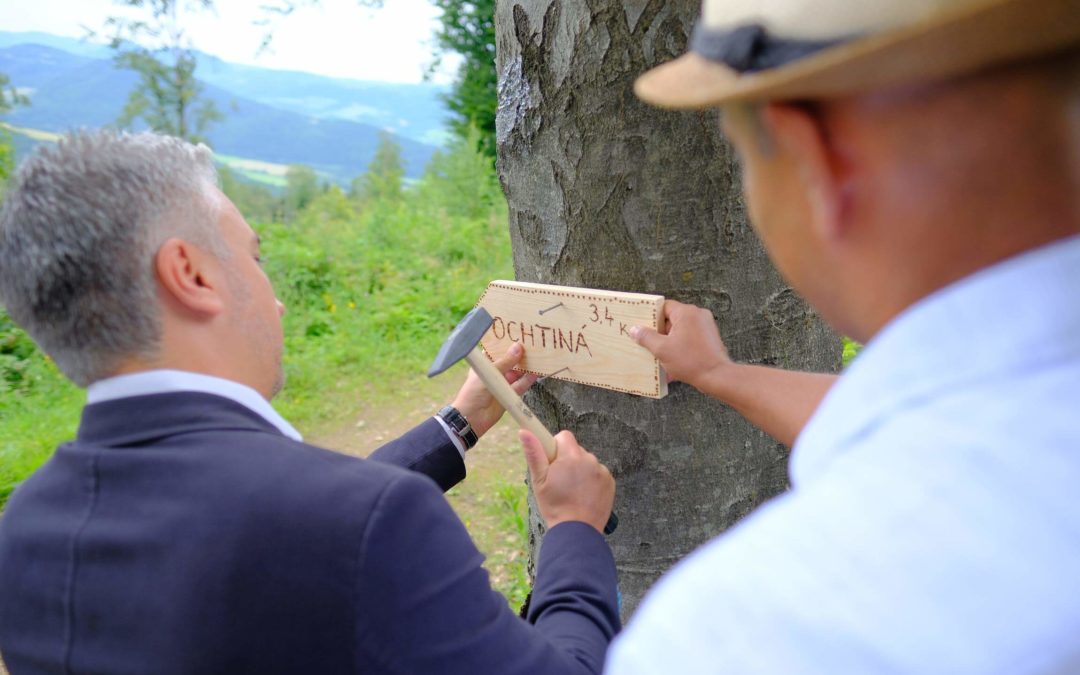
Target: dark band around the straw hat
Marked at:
750, 48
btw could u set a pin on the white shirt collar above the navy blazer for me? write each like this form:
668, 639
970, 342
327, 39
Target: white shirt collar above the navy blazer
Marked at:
168, 382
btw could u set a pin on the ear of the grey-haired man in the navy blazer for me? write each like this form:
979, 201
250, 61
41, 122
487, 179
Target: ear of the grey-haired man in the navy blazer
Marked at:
188, 277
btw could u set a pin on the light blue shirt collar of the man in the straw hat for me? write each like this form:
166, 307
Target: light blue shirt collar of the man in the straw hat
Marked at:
1019, 315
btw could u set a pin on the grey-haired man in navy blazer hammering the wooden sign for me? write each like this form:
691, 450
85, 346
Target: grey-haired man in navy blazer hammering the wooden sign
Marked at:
187, 529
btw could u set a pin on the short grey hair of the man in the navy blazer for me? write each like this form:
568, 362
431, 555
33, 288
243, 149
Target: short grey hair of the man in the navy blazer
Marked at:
79, 231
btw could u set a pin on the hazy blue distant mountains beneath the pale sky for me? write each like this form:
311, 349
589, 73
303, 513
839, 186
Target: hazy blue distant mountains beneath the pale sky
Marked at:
272, 116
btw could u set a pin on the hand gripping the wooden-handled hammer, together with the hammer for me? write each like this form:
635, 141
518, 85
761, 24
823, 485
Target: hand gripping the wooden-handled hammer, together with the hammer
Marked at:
572, 490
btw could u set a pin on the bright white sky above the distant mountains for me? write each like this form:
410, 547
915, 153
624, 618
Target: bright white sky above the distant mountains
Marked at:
337, 38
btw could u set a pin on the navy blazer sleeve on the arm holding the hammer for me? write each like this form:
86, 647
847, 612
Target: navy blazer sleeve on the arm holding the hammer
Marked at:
425, 604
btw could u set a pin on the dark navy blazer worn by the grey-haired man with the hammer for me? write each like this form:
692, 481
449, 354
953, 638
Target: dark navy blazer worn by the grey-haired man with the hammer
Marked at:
182, 533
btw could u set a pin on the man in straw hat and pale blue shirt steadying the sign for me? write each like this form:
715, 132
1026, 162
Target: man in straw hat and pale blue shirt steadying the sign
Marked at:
913, 168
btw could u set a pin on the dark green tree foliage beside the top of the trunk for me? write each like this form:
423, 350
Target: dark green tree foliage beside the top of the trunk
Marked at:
467, 28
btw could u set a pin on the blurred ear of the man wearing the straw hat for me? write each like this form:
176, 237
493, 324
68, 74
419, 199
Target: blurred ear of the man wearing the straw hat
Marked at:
803, 138
